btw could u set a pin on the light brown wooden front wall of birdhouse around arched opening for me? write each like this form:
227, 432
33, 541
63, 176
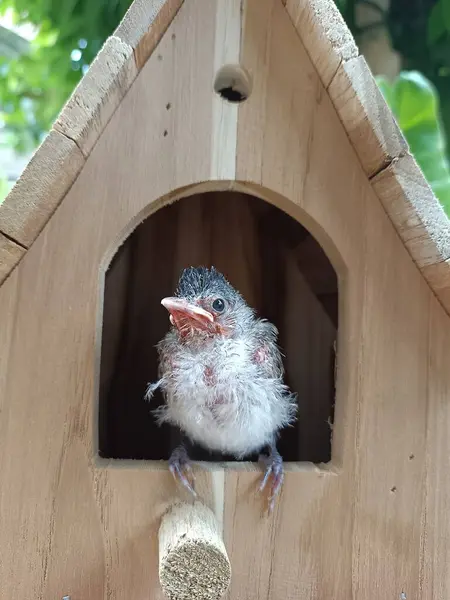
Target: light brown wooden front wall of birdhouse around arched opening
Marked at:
373, 523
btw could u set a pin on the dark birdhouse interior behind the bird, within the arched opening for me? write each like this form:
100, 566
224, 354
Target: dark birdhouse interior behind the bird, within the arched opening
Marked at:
281, 271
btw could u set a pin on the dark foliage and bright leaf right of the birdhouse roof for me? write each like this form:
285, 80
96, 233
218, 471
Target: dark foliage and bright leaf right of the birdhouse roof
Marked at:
420, 97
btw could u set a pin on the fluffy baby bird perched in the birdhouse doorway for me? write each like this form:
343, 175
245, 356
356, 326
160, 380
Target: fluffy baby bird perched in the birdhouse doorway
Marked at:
221, 375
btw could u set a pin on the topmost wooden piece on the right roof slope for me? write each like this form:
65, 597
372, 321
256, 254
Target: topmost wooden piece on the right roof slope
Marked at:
324, 34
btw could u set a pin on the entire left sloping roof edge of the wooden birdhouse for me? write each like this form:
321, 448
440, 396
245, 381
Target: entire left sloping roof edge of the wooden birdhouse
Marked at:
57, 162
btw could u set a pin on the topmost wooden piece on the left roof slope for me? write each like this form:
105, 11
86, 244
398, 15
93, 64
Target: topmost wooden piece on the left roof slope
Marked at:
144, 24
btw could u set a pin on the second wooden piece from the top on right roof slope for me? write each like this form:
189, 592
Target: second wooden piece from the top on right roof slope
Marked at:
367, 119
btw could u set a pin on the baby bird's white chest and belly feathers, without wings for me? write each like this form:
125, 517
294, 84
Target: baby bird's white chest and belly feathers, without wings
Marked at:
220, 397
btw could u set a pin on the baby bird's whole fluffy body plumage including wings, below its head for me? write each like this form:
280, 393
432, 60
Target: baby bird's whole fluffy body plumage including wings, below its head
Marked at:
226, 393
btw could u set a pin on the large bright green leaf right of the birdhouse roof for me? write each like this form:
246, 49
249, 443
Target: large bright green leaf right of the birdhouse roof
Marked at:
415, 104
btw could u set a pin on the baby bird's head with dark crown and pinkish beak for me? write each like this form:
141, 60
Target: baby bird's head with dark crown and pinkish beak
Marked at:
206, 304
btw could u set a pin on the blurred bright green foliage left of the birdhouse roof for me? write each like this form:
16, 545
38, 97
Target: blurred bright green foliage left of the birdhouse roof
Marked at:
34, 86
